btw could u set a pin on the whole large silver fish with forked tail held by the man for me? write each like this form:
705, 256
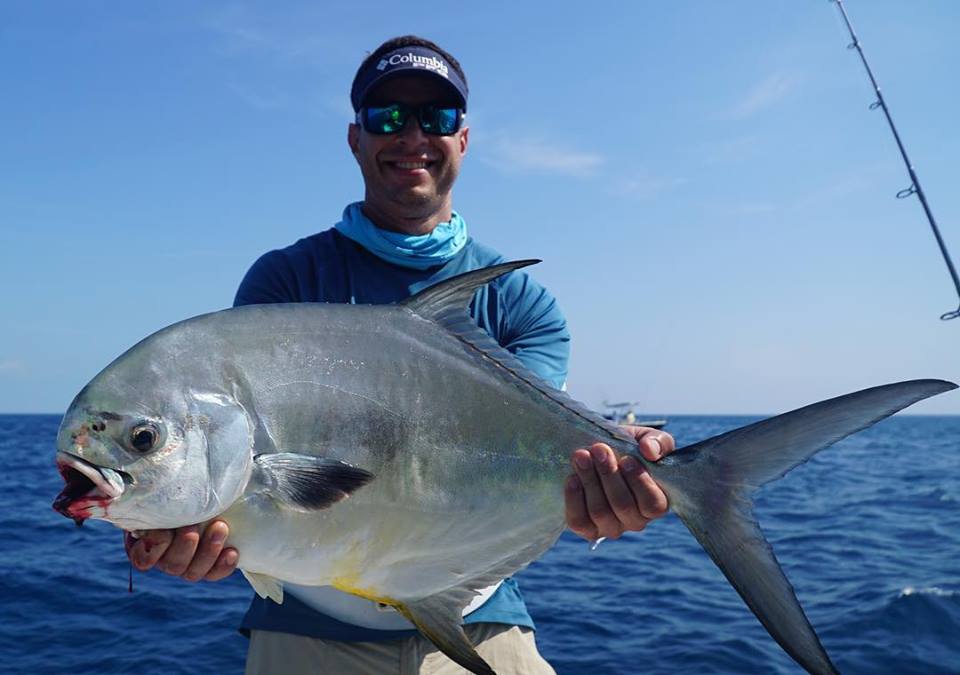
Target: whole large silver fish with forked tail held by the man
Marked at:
452, 453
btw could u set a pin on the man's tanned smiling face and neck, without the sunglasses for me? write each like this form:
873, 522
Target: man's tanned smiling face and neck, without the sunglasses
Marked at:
408, 175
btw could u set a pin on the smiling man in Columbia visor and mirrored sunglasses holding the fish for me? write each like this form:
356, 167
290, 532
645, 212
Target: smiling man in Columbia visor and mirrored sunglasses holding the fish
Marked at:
409, 139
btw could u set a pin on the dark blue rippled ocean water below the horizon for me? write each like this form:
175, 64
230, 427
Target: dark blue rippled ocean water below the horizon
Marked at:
868, 532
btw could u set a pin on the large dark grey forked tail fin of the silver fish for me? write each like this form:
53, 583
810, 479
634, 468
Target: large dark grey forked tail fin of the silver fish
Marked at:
710, 485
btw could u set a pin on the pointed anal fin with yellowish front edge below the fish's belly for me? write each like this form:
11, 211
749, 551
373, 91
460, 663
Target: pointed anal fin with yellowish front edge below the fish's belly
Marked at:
440, 619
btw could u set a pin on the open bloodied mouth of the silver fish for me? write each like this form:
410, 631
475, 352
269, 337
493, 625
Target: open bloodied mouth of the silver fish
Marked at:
88, 489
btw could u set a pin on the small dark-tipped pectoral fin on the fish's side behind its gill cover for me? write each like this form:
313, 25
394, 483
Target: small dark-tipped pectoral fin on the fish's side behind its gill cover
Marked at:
307, 483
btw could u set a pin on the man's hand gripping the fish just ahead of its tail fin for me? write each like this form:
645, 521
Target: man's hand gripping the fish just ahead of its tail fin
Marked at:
607, 496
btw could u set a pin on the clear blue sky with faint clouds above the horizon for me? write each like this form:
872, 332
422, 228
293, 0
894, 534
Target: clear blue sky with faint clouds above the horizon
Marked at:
712, 199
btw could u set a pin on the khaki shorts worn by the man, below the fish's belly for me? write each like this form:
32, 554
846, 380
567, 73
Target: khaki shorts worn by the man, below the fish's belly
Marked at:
510, 650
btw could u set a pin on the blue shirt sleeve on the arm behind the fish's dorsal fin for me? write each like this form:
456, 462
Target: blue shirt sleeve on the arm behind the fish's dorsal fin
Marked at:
535, 330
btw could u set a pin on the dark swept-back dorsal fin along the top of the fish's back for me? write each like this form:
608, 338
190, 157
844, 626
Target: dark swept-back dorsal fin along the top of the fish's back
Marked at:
446, 303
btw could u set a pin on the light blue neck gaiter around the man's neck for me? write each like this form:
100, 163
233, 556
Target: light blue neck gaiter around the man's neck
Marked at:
407, 250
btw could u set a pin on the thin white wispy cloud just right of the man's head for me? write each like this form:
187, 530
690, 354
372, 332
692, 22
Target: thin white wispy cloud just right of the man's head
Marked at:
512, 153
